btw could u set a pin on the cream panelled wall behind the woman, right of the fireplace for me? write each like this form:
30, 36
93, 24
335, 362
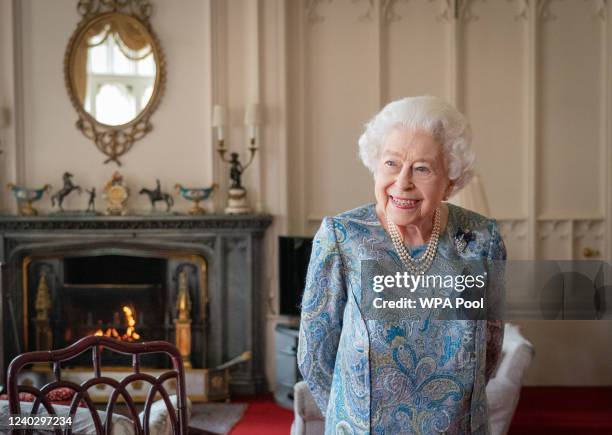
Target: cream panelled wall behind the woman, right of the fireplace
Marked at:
533, 77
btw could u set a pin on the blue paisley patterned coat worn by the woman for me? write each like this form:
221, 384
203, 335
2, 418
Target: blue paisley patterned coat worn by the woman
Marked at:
411, 377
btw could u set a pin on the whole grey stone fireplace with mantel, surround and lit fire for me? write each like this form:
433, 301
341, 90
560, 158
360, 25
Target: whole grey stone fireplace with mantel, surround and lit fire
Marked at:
193, 281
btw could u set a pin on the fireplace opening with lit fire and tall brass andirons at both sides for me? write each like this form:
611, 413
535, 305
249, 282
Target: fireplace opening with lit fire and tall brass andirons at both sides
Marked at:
131, 296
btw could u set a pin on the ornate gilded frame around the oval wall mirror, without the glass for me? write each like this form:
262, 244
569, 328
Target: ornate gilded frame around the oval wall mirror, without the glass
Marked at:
115, 140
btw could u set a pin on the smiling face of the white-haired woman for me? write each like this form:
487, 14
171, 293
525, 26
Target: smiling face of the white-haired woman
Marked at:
411, 178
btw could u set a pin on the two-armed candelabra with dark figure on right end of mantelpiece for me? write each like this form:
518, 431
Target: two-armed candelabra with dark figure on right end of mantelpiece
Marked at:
237, 193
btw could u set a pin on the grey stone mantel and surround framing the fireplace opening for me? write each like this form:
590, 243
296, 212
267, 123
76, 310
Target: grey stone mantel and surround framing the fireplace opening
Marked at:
231, 249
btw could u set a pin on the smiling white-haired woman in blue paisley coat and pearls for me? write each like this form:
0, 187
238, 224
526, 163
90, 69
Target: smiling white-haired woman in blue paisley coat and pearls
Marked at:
410, 376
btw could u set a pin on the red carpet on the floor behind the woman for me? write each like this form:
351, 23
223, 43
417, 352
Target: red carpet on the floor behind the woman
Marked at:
541, 411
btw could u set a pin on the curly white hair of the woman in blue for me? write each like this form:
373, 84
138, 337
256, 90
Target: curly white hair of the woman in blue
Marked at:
441, 120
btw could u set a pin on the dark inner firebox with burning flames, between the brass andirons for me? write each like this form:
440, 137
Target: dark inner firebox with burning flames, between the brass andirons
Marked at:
120, 296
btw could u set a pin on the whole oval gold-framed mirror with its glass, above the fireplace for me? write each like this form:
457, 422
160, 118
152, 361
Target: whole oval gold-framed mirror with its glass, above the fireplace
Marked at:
115, 73
